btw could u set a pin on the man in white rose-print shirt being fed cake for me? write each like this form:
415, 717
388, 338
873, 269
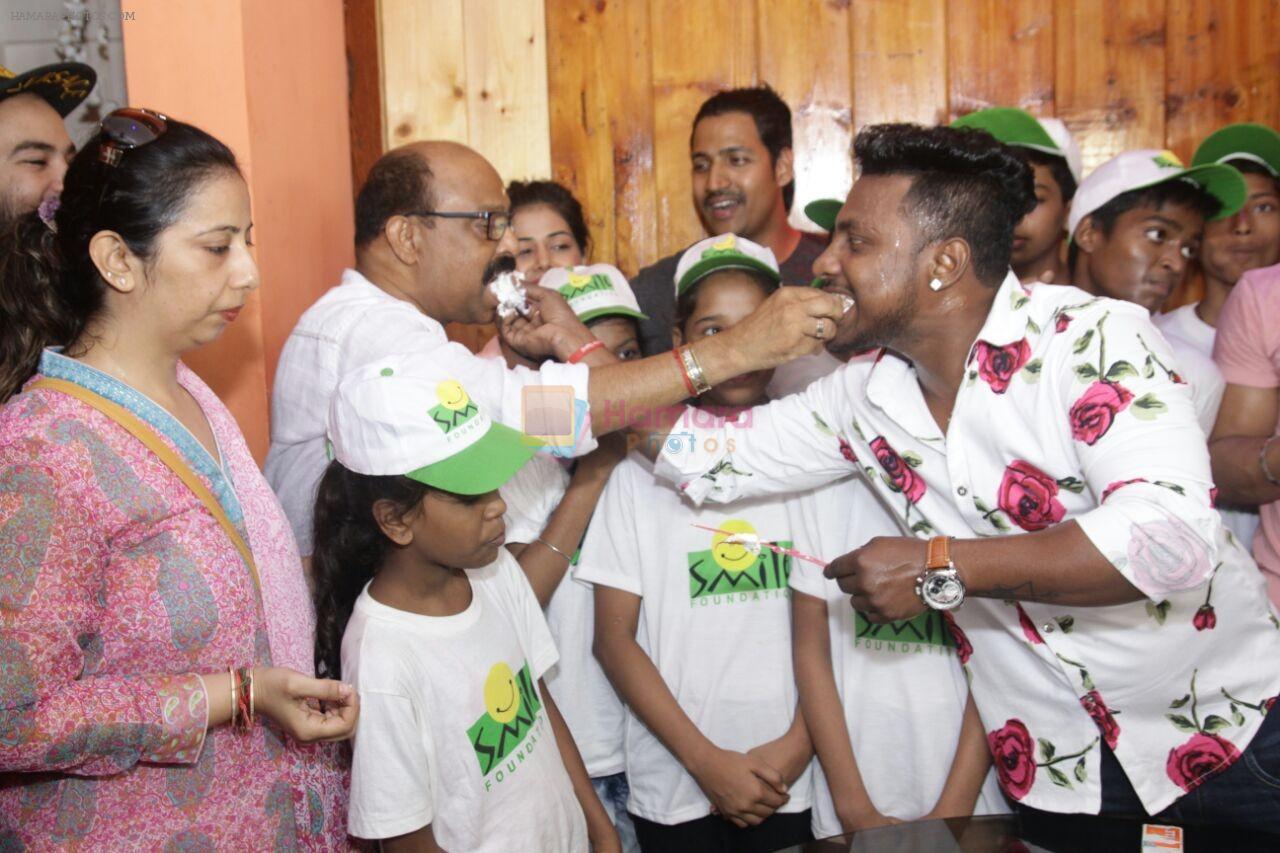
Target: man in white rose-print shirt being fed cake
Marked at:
1121, 649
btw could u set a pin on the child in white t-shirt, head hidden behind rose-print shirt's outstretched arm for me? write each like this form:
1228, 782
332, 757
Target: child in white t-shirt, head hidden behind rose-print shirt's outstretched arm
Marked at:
884, 704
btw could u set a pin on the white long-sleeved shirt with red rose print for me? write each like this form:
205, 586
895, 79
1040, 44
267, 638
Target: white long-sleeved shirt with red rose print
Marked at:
1071, 412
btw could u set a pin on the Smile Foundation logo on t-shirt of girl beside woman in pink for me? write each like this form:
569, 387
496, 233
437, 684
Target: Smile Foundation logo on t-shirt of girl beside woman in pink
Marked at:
510, 727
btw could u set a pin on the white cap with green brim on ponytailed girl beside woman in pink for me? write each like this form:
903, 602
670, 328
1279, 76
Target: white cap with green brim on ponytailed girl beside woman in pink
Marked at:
404, 416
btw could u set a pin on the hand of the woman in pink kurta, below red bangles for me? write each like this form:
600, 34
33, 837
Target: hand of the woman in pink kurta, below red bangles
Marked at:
307, 709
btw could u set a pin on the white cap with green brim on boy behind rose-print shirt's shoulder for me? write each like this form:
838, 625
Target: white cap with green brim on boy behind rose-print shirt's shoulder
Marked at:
1148, 168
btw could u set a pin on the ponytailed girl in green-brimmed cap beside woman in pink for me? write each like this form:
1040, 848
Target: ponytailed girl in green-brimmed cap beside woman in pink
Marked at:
419, 606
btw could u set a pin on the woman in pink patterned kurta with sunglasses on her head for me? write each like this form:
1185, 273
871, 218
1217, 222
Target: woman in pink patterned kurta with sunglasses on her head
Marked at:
122, 600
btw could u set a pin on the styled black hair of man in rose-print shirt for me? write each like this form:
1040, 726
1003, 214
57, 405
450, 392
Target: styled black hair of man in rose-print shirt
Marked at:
964, 185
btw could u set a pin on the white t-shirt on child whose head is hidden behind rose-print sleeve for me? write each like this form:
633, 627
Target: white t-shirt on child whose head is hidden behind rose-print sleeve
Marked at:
900, 685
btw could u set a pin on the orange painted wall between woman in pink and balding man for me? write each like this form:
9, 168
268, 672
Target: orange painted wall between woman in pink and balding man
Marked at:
267, 77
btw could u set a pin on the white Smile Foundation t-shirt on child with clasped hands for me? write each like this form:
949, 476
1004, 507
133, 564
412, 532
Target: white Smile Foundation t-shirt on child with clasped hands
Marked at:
716, 626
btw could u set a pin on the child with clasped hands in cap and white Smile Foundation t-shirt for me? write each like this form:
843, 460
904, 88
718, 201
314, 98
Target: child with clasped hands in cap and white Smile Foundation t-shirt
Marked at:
693, 626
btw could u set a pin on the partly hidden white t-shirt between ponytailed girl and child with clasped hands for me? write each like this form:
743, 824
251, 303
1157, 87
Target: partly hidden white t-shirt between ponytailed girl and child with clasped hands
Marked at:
583, 694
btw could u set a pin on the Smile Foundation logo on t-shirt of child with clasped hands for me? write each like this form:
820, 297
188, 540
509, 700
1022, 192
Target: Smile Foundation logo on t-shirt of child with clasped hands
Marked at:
734, 569
